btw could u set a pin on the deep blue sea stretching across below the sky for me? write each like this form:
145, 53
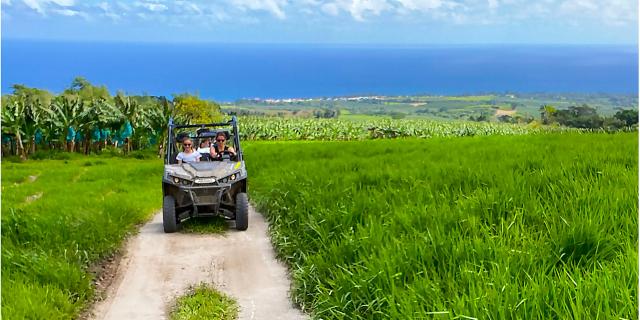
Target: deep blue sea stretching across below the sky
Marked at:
227, 72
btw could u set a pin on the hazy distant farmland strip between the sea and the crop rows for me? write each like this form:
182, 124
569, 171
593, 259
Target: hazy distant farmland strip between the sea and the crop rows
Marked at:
461, 107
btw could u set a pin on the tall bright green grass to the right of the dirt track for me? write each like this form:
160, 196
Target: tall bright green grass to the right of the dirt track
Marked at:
518, 227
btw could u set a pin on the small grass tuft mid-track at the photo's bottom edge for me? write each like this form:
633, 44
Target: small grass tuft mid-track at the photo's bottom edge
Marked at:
204, 302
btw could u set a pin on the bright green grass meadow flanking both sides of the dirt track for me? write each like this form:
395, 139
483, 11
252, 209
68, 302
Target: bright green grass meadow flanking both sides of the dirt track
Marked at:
493, 227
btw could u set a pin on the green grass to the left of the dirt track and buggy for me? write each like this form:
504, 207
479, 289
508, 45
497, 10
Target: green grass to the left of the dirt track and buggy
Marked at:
61, 217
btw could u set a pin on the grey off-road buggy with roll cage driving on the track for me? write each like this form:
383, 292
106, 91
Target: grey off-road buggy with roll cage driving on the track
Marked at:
211, 187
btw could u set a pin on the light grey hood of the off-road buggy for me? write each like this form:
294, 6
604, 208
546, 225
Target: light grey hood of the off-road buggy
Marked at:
205, 169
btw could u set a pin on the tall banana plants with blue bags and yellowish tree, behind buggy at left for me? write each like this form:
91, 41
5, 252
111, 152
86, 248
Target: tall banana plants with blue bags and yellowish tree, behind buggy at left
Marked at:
86, 118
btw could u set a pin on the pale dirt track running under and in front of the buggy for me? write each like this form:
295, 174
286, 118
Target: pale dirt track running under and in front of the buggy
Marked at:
158, 267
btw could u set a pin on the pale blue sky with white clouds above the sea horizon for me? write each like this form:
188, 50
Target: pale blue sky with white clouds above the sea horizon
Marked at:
408, 22
